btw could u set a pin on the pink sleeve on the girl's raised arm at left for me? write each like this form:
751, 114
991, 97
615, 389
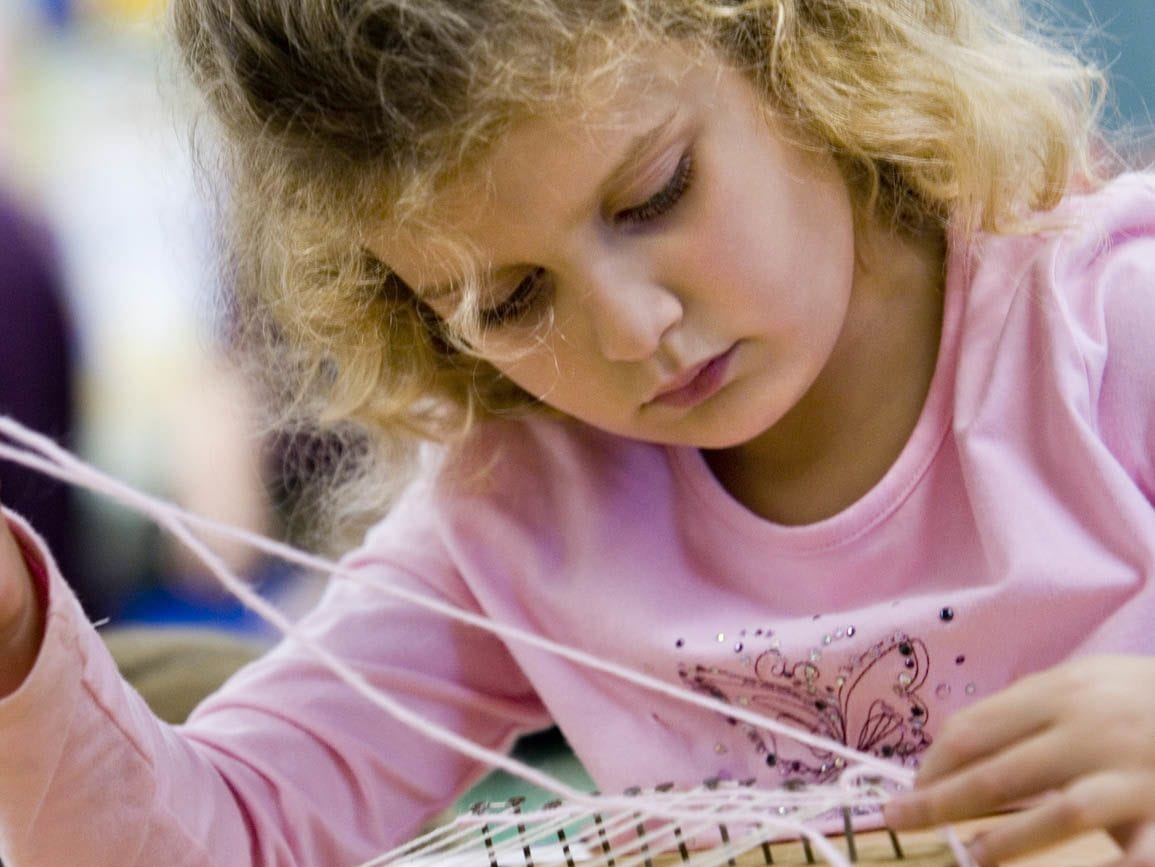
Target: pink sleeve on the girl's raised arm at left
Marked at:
286, 766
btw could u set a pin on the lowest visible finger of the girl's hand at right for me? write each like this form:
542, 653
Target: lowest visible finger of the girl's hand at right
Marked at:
1091, 804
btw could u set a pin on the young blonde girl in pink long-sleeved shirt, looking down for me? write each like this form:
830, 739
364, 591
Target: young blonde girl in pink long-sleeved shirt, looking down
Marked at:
794, 352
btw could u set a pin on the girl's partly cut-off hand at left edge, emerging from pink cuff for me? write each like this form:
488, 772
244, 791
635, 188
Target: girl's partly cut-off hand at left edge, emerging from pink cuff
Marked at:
21, 615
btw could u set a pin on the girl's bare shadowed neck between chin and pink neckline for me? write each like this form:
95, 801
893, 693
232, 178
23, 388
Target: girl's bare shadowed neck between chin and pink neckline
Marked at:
840, 440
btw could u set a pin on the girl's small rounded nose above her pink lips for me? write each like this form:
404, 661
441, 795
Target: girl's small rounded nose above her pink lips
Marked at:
630, 313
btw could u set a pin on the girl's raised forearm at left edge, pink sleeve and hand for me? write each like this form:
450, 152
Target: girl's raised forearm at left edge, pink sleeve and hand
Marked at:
90, 775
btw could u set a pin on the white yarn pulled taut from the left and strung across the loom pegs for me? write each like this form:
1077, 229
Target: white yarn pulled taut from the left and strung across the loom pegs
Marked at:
766, 813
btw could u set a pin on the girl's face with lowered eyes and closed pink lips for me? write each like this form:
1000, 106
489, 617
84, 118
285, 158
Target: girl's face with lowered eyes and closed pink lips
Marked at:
668, 266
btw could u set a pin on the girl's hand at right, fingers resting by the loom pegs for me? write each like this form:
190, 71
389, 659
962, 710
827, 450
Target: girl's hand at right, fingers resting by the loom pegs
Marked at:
1082, 737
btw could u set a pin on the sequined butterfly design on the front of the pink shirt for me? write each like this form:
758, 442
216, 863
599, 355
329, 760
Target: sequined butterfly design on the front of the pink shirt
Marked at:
871, 702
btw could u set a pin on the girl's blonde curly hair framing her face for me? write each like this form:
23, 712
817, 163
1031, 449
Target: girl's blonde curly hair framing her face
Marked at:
342, 116
